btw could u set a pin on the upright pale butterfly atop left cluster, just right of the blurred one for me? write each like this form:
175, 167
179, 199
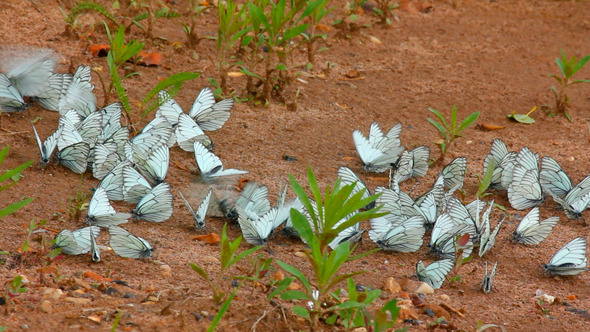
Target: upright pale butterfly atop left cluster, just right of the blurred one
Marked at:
79, 95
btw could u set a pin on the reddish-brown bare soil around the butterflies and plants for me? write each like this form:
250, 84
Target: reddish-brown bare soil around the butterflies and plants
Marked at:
488, 56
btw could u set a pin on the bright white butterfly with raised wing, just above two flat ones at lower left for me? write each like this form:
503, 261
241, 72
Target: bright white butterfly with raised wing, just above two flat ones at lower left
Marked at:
101, 213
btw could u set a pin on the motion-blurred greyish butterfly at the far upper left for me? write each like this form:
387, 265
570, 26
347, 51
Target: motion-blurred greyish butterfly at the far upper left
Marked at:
30, 75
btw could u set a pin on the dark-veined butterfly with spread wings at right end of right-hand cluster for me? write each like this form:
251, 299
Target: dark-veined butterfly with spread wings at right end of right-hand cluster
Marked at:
558, 185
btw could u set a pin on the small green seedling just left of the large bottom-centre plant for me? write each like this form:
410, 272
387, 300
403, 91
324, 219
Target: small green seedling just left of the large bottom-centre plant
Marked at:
229, 257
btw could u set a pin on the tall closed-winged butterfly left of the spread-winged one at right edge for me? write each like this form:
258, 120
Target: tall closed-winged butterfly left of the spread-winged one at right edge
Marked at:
525, 189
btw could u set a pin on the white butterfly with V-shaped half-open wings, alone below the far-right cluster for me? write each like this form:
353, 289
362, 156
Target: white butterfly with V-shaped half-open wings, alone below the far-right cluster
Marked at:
531, 230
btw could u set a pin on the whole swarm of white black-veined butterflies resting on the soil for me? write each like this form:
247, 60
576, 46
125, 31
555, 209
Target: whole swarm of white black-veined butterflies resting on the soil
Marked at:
134, 169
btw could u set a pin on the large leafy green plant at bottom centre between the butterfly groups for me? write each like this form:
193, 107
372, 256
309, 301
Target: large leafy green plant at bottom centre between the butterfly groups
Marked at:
337, 203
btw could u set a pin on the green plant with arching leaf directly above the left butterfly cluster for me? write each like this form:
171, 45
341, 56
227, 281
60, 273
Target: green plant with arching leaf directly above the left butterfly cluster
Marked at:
121, 52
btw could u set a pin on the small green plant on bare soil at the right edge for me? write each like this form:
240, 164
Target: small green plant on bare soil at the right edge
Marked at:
568, 68
